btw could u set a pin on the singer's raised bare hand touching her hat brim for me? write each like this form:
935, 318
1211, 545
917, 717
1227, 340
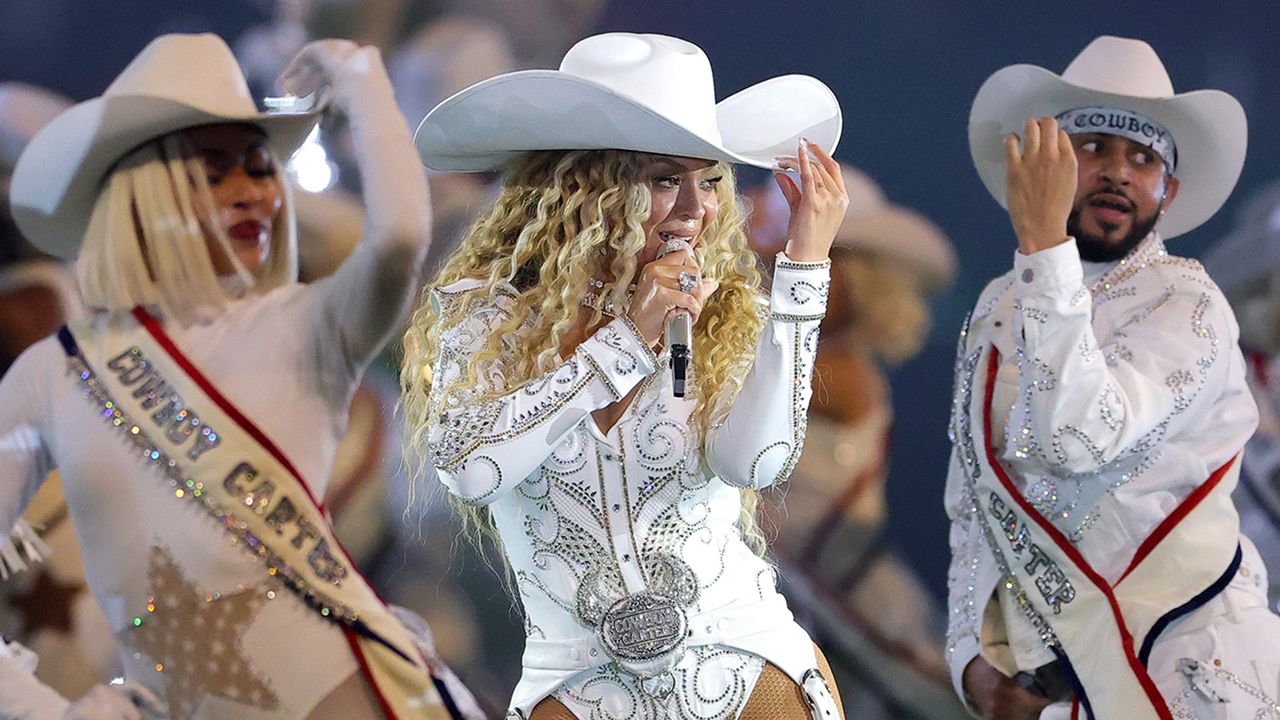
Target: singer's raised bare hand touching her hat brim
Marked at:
817, 206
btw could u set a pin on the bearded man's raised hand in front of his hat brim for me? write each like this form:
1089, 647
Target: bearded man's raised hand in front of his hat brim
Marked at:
1041, 184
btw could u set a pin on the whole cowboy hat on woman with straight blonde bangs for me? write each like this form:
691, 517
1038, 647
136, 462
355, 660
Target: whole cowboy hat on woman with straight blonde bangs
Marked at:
179, 81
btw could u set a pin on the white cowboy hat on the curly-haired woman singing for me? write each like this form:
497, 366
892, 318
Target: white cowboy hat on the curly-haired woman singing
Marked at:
625, 92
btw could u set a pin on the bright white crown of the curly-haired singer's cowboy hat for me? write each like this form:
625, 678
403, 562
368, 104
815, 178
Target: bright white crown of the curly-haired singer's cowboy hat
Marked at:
668, 75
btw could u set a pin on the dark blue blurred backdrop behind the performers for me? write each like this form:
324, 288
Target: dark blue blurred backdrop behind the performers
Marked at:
906, 72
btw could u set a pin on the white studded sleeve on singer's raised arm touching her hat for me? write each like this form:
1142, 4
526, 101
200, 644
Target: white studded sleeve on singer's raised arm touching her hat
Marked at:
761, 439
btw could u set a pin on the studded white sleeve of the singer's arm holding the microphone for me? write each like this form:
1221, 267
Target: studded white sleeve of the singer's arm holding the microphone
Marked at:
484, 445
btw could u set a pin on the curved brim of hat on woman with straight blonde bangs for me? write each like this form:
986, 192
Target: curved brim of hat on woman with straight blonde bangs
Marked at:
61, 172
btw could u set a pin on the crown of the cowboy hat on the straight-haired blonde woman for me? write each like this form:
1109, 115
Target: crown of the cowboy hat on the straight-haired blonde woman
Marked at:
168, 67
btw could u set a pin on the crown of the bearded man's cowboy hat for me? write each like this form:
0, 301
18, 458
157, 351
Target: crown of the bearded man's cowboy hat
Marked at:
1121, 66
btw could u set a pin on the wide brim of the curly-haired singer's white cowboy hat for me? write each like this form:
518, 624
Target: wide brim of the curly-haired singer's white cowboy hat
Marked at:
491, 124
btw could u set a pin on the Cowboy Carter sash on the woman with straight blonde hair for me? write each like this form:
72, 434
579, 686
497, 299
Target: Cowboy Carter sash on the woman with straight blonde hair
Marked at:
217, 459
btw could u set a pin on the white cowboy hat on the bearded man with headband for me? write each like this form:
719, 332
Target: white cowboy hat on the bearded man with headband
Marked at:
1208, 126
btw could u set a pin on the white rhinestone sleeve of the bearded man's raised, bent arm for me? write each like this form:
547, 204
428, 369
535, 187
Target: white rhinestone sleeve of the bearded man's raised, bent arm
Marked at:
1089, 404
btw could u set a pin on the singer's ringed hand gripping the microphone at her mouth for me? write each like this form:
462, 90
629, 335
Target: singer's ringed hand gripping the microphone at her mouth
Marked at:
659, 294
